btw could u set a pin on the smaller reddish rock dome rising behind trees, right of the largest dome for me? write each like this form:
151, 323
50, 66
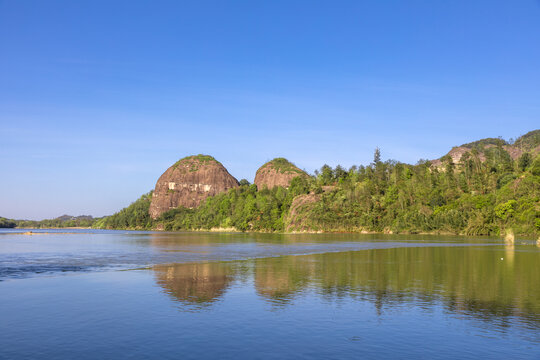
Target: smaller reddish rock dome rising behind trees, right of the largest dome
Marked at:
278, 172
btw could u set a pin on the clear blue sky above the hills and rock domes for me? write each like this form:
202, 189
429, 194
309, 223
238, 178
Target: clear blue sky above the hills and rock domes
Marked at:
98, 98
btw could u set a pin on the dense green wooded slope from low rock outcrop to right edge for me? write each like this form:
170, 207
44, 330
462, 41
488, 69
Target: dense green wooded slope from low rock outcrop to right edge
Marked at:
471, 197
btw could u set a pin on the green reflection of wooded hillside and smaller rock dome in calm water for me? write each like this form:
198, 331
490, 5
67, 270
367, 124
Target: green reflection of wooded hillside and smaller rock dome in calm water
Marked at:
504, 280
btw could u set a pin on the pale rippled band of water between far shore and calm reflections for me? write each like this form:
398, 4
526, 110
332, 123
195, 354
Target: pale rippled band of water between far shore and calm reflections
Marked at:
24, 256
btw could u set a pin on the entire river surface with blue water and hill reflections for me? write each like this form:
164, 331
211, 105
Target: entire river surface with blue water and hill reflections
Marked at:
88, 294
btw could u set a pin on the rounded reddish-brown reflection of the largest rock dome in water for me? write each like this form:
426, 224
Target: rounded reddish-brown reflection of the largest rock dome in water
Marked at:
197, 283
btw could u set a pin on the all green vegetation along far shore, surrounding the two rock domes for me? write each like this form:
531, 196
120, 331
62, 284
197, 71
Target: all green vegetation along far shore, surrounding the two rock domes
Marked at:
485, 193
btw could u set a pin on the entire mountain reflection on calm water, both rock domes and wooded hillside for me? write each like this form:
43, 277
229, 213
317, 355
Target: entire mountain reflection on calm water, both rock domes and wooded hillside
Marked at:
490, 282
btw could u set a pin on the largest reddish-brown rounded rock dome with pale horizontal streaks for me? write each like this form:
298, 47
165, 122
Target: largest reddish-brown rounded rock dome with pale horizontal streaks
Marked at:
188, 182
